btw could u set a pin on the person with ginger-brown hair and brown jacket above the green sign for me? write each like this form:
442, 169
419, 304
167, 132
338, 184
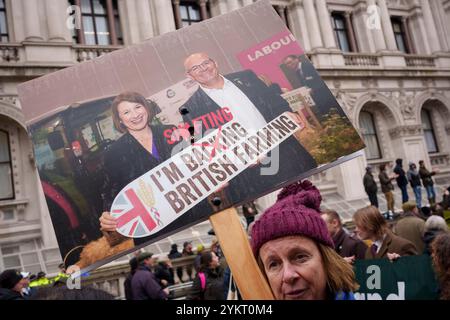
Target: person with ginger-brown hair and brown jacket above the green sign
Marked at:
370, 225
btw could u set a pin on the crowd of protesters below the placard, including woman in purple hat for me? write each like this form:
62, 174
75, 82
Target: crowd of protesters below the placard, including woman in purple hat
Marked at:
304, 251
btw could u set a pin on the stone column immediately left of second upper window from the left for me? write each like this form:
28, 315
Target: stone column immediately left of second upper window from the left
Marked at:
56, 21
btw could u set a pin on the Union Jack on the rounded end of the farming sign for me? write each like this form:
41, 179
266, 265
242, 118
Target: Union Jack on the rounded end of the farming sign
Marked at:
133, 218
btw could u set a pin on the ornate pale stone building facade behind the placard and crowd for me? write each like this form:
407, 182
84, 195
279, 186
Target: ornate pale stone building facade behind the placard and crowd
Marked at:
386, 61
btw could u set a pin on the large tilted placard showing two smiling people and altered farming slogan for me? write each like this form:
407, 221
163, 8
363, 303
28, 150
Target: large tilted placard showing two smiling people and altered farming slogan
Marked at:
163, 134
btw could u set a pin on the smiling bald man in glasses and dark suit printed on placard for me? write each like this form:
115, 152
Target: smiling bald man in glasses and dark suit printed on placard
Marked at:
251, 103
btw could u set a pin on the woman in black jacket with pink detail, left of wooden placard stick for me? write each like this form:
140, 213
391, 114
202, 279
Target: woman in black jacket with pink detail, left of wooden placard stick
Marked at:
211, 287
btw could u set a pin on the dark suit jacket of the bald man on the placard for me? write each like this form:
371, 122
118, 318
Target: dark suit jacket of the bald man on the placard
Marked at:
294, 159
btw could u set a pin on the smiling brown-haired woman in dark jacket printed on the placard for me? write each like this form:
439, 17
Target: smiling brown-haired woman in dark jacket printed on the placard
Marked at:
141, 148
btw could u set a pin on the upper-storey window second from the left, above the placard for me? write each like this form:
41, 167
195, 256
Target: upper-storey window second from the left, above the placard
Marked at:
100, 23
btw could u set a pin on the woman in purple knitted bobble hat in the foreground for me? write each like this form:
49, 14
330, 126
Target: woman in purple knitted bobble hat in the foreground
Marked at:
295, 251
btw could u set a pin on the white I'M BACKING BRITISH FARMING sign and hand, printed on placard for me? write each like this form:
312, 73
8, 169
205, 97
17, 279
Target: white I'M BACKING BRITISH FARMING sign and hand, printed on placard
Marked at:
192, 175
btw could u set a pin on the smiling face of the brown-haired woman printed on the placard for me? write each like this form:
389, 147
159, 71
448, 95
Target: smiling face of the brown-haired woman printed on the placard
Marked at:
133, 115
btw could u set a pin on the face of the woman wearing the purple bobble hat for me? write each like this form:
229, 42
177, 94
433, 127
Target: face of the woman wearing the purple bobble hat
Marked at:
294, 267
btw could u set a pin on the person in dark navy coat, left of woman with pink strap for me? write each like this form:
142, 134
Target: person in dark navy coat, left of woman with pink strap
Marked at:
144, 284
